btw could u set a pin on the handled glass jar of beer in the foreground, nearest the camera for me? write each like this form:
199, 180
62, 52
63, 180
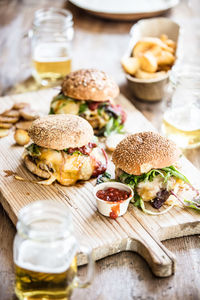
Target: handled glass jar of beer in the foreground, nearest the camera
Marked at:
45, 253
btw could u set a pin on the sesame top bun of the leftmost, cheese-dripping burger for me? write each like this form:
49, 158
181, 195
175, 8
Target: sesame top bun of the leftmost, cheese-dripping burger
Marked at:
61, 131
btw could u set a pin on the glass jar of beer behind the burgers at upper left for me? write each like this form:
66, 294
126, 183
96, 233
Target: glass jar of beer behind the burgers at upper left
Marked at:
51, 45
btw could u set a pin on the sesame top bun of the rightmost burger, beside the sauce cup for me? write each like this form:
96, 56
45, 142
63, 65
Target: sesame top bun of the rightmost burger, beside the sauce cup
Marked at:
139, 153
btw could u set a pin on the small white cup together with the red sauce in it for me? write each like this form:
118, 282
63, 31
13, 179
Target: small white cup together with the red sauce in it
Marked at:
112, 198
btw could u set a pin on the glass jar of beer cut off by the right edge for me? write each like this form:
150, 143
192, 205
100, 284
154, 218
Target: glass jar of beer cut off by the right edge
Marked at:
181, 118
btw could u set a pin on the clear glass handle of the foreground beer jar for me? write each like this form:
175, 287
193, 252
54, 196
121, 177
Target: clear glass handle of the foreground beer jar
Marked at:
90, 271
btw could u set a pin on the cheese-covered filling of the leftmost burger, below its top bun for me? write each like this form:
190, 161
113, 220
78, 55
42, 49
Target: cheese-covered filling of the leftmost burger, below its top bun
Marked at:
66, 167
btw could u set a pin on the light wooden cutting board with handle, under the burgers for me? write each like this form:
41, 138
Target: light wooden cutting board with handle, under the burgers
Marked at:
135, 231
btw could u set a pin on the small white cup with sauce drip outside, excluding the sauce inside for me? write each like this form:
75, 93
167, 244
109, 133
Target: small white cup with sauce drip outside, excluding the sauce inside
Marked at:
106, 208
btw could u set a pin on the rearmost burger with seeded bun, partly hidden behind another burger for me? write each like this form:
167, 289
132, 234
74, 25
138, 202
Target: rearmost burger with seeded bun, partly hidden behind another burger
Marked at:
89, 93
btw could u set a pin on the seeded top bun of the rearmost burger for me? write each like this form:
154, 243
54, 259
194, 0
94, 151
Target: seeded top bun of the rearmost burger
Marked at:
90, 84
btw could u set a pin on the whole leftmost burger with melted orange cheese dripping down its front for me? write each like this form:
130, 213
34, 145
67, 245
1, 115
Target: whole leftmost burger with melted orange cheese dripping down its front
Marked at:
63, 150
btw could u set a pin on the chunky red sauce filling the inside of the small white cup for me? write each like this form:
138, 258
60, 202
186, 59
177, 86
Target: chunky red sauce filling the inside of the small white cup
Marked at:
113, 195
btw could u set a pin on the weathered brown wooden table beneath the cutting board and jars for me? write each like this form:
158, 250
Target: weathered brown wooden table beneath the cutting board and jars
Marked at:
101, 43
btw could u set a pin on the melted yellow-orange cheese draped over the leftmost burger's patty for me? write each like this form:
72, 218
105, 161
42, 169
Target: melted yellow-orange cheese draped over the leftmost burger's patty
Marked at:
69, 168
